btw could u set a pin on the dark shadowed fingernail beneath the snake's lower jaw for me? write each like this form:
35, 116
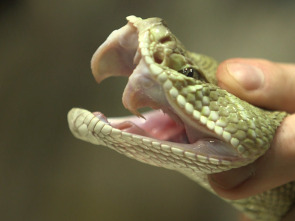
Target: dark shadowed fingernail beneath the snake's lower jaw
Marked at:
232, 178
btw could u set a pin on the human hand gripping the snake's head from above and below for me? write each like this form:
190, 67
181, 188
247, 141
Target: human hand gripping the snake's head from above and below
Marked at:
271, 86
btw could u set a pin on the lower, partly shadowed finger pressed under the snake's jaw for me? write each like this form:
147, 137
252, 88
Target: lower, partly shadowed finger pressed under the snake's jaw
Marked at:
273, 169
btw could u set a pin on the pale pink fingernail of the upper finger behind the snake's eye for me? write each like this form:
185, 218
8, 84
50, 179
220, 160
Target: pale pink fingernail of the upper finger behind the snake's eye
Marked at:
248, 76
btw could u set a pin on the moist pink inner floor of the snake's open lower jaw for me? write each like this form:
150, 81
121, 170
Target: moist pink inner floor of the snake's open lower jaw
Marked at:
159, 126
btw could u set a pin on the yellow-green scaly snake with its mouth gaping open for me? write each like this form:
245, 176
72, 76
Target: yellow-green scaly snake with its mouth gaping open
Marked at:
194, 127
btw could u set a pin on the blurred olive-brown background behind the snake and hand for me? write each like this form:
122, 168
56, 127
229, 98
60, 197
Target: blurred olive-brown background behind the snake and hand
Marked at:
45, 52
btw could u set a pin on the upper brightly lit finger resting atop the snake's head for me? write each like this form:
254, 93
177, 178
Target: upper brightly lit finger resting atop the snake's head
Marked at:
260, 82
